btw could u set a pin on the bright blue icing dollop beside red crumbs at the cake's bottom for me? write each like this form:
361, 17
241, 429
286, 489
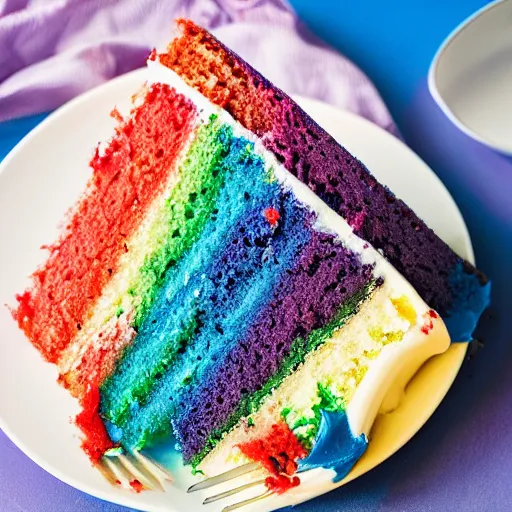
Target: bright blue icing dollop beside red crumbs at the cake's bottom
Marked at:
335, 447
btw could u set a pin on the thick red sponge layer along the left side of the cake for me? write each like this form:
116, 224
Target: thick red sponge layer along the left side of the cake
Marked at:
125, 180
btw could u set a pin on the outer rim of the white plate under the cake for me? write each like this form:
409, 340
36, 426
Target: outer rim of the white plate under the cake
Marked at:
87, 96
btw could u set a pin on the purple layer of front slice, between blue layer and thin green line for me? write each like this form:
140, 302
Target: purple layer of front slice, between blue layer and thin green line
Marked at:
307, 298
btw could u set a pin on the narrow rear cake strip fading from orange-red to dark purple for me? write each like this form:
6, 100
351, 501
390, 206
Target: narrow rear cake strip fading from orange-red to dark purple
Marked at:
446, 282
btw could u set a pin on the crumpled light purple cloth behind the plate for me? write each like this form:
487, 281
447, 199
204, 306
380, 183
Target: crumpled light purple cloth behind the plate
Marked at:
53, 50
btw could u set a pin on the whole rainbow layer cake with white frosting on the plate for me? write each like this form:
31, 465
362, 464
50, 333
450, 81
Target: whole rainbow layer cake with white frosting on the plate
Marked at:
234, 278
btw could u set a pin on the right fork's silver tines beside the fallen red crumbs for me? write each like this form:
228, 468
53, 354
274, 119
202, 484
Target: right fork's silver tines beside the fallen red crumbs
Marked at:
258, 479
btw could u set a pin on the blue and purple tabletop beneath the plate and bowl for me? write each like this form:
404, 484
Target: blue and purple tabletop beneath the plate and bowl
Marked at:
462, 459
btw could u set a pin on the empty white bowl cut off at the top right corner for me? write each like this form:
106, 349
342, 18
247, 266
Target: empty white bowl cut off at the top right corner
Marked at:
471, 76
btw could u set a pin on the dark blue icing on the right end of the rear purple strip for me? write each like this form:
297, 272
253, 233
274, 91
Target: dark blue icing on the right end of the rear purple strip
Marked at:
471, 300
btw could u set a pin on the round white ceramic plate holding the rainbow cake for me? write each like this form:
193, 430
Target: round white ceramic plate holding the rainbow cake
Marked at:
44, 175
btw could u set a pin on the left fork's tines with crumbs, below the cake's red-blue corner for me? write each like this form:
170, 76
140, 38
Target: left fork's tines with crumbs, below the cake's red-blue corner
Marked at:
133, 469
